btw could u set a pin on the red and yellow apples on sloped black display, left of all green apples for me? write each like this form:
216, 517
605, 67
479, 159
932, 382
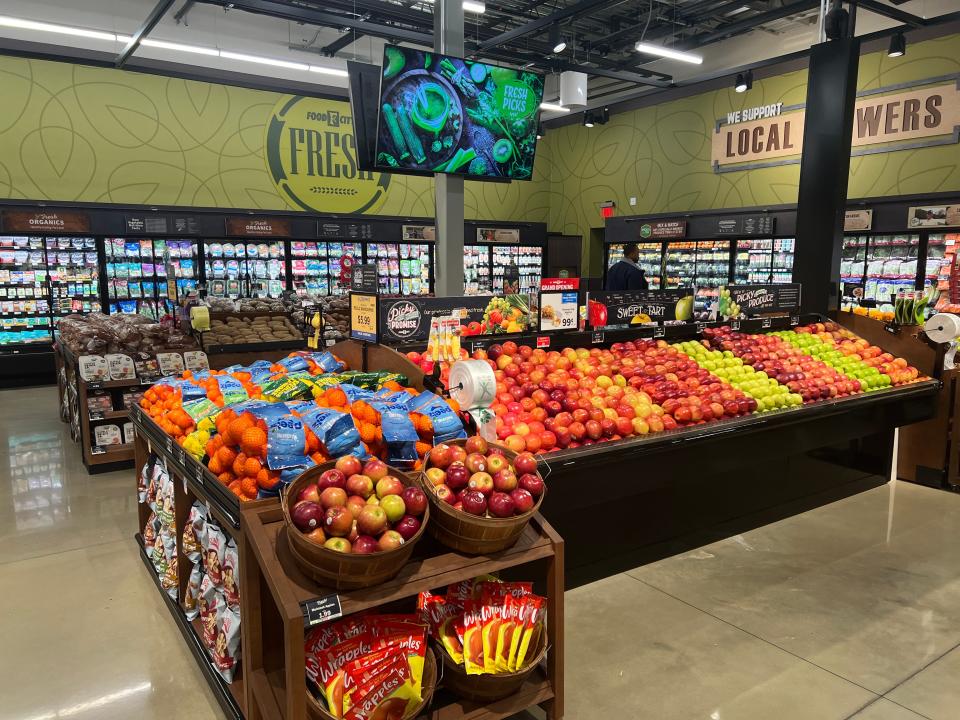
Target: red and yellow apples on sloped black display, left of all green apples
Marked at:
578, 397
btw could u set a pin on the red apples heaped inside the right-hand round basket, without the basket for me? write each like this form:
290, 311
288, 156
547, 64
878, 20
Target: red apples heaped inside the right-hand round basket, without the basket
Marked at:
480, 480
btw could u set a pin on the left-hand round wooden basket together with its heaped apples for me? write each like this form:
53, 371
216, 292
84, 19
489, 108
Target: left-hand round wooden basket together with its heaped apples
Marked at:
352, 525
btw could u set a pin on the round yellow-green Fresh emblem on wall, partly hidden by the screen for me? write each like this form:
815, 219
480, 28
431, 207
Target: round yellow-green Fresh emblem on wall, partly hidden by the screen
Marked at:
311, 156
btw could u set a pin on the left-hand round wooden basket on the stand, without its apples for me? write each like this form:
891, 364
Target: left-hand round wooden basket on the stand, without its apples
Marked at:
344, 571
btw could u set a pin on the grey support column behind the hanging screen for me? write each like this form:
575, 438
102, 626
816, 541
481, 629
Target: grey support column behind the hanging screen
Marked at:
448, 189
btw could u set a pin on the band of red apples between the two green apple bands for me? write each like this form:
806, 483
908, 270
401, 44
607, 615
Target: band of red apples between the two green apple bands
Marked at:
808, 377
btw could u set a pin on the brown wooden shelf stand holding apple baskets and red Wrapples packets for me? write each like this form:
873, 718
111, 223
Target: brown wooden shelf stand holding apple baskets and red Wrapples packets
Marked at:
279, 604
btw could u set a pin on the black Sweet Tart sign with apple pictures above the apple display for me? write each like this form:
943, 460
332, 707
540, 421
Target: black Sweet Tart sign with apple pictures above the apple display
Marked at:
606, 309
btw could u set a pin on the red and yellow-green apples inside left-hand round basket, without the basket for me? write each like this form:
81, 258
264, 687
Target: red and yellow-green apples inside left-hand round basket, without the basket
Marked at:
359, 508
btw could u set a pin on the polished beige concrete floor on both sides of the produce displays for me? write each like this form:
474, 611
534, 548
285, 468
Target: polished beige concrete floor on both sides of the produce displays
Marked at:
848, 611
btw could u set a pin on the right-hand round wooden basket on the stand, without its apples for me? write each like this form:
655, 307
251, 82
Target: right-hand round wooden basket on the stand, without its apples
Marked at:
471, 534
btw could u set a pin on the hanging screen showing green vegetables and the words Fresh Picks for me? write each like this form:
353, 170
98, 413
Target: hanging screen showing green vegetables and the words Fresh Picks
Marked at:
445, 114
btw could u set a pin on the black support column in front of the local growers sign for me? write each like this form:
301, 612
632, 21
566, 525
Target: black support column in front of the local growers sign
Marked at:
824, 171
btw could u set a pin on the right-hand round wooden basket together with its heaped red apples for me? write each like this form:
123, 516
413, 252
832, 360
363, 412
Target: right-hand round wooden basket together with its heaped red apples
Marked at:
482, 494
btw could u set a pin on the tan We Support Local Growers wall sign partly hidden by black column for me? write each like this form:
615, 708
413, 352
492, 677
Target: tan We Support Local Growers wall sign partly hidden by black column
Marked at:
888, 119
